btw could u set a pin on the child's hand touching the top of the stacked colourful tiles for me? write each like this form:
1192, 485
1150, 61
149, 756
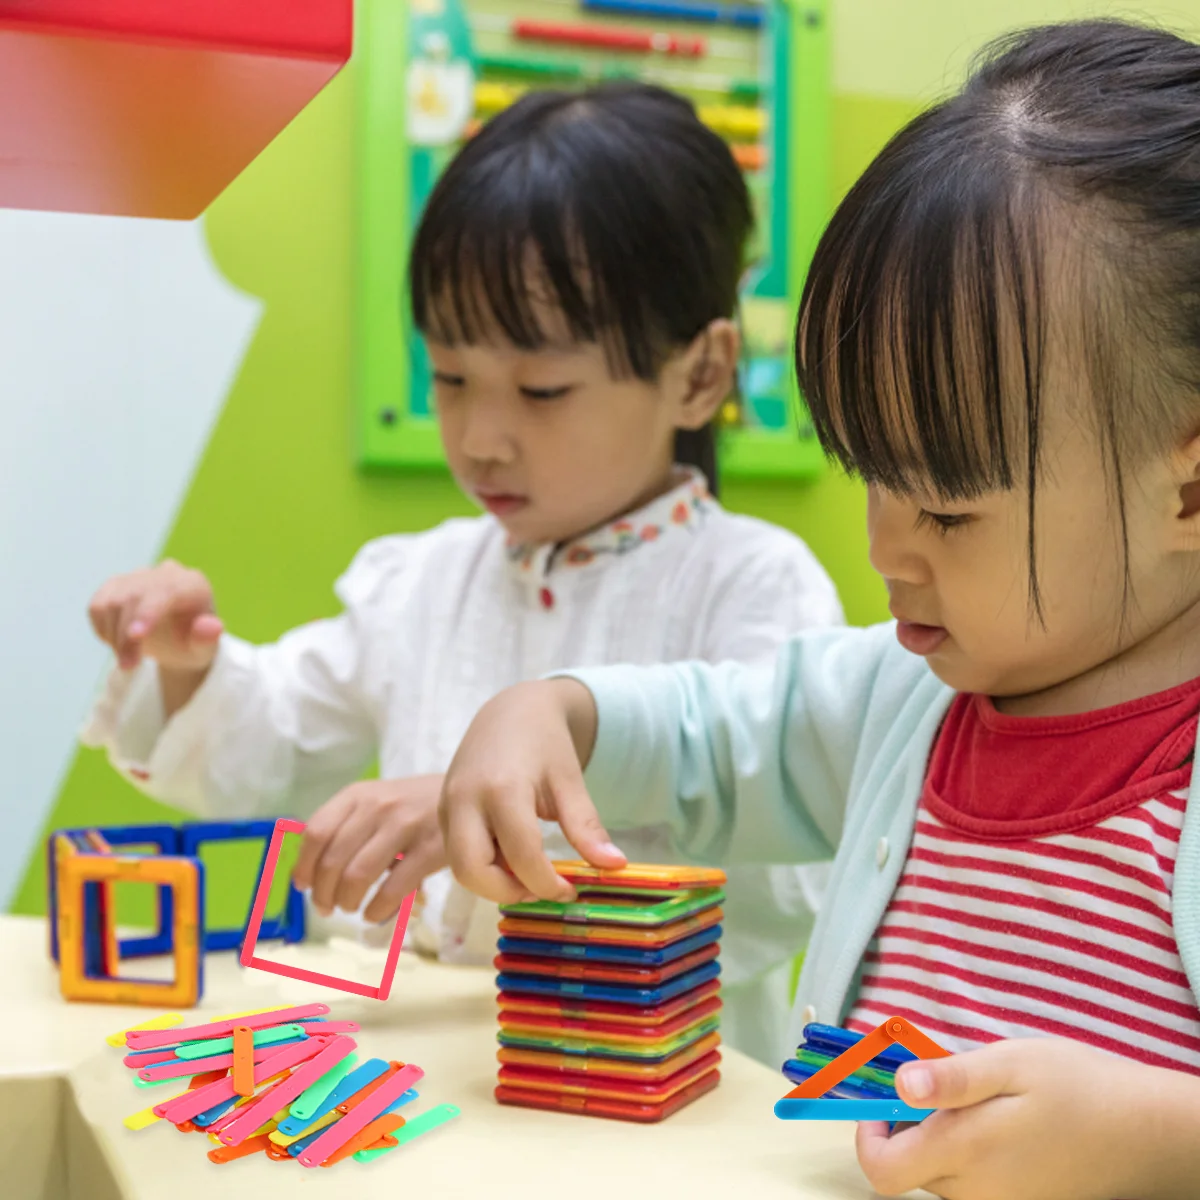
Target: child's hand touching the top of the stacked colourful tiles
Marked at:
521, 761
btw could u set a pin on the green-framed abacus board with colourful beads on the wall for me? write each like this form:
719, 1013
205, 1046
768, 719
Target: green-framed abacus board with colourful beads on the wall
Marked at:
758, 73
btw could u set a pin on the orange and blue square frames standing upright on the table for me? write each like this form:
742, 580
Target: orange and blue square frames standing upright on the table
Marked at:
85, 867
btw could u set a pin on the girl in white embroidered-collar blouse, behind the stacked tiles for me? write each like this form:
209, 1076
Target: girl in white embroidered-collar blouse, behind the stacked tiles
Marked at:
575, 275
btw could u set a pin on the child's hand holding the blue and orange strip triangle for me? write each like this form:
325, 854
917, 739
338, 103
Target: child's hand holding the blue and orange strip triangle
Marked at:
1033, 1118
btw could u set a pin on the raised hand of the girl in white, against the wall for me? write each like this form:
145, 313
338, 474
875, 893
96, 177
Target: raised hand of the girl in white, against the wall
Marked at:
165, 614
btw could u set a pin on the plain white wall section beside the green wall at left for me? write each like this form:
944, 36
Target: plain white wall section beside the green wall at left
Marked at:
119, 341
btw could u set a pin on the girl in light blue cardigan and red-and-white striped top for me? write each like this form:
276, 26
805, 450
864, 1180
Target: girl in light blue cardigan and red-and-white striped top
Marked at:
1001, 335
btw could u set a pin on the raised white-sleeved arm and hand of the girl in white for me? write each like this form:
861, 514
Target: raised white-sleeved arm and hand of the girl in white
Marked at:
226, 729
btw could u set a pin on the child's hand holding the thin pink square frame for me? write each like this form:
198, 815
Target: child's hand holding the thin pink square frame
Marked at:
355, 839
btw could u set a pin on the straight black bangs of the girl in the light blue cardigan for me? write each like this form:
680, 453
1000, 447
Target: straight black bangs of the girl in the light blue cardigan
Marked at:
920, 339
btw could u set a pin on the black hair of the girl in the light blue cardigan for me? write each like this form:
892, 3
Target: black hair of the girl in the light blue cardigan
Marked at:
1069, 165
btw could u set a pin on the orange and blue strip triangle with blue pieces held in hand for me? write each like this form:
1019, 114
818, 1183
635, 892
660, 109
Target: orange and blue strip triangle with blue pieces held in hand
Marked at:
847, 1077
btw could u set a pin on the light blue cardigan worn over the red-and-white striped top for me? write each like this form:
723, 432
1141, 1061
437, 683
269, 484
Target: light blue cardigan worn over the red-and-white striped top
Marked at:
823, 753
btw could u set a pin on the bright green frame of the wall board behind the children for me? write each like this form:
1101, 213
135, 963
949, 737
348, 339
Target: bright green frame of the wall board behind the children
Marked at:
388, 437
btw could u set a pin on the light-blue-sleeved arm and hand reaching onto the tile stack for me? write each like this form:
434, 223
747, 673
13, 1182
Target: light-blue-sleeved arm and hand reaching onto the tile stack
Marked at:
743, 764
